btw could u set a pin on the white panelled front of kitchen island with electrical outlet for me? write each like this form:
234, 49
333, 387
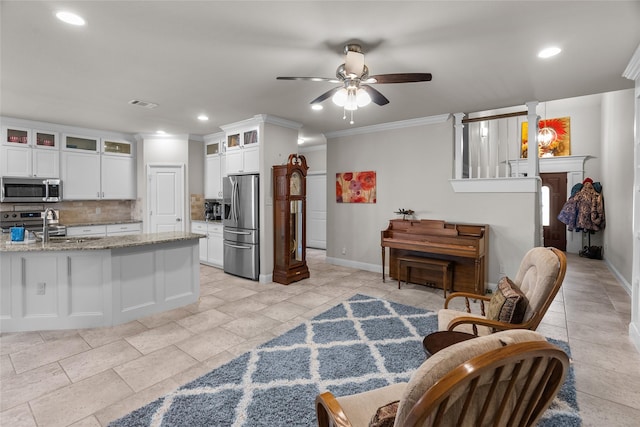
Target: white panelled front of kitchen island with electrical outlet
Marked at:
54, 290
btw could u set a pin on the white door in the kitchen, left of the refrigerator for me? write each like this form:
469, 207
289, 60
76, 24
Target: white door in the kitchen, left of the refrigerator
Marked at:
165, 207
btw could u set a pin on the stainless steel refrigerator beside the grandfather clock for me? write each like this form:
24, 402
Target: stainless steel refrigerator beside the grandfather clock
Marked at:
241, 225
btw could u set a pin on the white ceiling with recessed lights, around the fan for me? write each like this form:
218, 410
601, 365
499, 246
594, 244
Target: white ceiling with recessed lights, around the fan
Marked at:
221, 58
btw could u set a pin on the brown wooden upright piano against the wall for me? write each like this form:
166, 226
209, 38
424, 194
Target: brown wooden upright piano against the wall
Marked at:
466, 245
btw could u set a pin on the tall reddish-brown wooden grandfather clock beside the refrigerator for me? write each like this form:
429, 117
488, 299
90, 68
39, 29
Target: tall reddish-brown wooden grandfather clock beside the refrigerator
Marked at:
290, 220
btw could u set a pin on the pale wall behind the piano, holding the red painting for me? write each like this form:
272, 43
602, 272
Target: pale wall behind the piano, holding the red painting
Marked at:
413, 167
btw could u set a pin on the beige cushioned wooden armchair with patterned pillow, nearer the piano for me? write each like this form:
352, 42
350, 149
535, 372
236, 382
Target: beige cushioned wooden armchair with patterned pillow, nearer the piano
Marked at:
517, 304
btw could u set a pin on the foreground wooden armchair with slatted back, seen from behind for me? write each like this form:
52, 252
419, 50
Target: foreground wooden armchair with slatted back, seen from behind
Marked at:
507, 378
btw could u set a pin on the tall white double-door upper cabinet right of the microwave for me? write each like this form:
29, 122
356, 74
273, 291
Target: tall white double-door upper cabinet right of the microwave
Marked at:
97, 170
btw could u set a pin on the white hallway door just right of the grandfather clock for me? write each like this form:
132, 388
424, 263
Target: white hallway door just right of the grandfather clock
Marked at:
317, 211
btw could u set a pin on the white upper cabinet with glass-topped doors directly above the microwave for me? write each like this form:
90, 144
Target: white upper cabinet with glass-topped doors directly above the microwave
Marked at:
29, 153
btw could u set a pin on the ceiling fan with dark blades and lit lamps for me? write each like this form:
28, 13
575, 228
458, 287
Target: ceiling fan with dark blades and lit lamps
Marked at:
354, 79
